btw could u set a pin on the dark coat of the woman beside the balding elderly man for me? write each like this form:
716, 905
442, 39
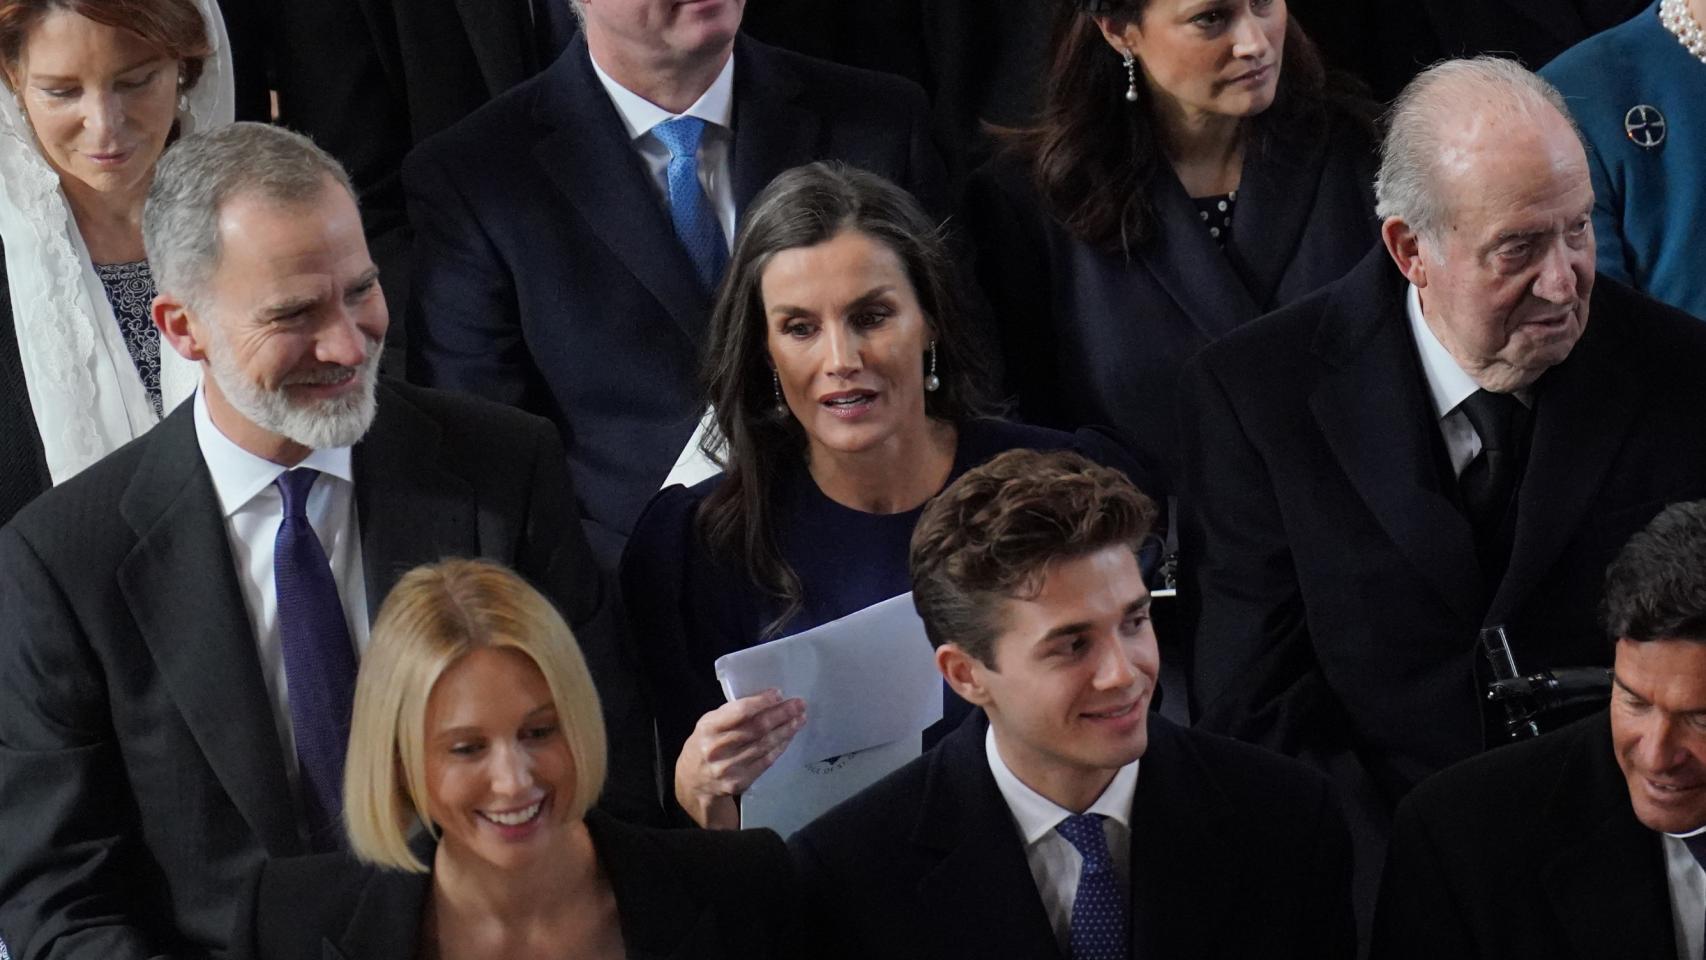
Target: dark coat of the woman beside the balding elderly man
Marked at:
1098, 338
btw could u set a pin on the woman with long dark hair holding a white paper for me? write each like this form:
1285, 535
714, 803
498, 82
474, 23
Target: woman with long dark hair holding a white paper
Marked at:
847, 385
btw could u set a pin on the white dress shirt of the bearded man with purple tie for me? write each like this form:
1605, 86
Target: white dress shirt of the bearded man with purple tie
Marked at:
253, 511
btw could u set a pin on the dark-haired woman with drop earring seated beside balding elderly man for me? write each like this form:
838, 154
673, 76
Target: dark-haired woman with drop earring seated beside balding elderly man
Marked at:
1193, 168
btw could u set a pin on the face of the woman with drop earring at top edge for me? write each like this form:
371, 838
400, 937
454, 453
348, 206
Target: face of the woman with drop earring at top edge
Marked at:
1207, 57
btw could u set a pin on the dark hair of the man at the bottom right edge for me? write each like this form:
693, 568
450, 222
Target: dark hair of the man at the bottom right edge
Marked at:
1657, 586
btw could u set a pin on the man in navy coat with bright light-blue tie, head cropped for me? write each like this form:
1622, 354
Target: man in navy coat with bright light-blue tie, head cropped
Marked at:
571, 236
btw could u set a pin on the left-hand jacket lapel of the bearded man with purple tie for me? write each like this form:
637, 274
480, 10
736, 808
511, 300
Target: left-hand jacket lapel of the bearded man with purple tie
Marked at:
182, 587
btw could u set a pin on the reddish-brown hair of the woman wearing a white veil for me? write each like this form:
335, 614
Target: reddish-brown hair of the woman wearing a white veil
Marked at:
175, 26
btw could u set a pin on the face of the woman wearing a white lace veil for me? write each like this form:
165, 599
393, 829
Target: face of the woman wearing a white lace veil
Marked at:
102, 103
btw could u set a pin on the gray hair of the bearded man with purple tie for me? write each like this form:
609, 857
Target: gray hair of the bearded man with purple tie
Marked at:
202, 173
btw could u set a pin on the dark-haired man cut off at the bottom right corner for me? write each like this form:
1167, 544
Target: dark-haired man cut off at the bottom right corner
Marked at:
1589, 841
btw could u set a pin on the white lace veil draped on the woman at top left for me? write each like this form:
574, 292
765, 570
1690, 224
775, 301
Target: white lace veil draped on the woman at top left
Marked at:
84, 390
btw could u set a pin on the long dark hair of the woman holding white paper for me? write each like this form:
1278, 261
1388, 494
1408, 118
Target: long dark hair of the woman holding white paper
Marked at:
806, 207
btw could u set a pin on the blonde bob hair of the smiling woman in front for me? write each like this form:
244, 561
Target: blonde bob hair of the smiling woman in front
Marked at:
436, 616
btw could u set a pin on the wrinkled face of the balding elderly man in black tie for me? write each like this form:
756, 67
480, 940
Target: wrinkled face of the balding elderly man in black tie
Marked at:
1506, 284
